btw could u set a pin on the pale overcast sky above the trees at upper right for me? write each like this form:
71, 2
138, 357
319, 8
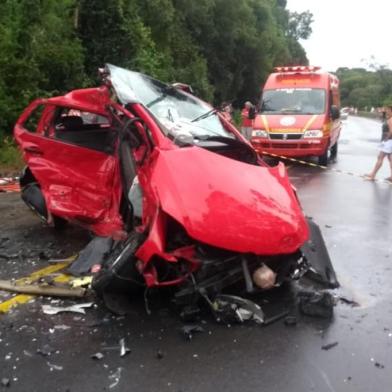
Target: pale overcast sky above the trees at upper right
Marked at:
346, 32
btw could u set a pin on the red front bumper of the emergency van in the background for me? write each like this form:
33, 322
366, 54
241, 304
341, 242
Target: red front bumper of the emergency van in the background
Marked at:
291, 148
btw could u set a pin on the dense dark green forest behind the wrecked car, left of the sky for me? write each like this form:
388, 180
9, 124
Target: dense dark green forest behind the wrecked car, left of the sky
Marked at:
223, 48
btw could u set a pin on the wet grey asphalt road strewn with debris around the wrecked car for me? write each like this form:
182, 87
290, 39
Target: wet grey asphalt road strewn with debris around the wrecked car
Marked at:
355, 219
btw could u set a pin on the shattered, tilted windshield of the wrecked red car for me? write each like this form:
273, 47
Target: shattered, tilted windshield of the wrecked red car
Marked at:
183, 116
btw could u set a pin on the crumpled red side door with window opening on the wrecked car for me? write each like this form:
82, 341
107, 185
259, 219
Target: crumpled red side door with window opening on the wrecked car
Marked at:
78, 176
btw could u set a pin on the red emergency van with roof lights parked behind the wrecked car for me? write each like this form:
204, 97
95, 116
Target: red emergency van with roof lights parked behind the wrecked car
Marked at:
299, 114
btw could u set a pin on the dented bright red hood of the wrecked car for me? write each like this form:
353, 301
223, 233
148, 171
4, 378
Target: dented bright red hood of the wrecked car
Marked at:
229, 204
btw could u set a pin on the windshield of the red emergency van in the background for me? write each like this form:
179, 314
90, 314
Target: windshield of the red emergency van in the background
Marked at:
293, 101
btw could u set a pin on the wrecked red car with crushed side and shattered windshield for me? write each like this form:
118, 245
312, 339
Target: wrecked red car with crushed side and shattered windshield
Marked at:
173, 193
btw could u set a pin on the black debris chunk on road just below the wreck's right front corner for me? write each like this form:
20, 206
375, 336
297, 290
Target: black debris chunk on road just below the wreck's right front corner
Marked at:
316, 304
